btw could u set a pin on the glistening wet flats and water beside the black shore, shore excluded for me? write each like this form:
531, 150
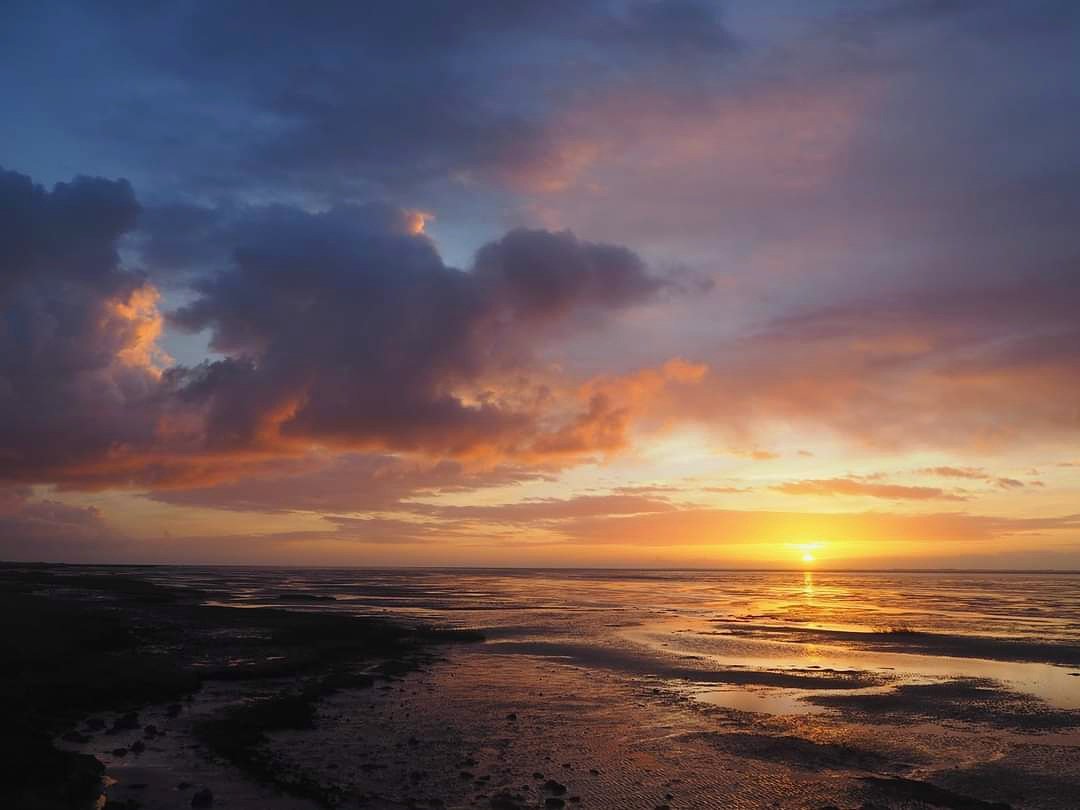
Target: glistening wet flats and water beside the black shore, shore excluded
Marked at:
639, 690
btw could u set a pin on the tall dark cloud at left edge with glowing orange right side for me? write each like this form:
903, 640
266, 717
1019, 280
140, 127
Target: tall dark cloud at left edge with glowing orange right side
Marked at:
76, 329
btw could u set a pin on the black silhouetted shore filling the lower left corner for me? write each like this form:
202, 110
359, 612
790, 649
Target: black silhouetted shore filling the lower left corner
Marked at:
79, 645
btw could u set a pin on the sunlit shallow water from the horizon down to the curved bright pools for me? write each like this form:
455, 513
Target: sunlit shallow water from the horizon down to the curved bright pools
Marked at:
1020, 629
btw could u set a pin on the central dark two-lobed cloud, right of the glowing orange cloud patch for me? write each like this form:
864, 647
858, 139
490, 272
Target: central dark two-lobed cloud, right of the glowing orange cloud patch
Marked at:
346, 326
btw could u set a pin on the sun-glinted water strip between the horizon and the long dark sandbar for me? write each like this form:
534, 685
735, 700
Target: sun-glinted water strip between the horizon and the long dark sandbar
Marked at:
1022, 605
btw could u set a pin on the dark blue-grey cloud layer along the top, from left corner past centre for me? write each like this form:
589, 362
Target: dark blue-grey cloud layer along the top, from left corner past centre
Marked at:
359, 98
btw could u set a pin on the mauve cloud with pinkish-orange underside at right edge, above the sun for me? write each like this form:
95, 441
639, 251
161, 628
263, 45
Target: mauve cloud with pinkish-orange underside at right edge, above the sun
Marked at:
951, 370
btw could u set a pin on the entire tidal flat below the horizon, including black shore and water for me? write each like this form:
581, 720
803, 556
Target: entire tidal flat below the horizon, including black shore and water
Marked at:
277, 688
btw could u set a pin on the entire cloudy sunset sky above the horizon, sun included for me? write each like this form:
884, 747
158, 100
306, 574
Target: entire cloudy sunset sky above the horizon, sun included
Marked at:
620, 283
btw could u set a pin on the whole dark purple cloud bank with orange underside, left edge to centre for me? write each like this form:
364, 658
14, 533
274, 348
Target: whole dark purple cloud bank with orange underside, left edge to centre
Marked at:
343, 329
